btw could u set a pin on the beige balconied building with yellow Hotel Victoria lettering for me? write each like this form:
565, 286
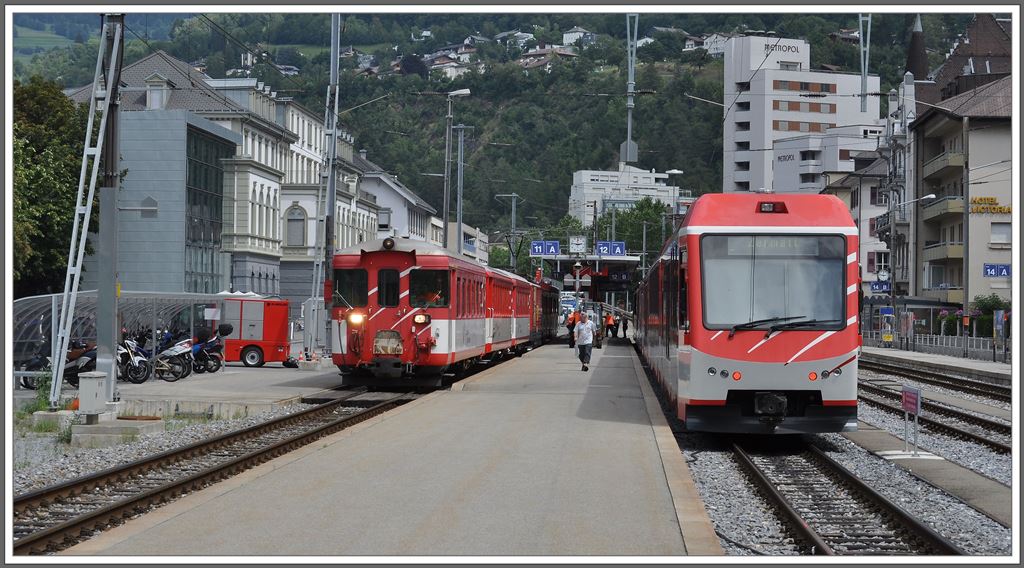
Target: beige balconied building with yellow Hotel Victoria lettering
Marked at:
965, 150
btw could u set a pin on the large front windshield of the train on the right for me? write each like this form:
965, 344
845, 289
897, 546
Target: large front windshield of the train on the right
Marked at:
747, 279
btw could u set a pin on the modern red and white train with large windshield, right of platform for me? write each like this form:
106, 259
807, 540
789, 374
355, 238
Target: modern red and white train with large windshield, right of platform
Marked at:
749, 319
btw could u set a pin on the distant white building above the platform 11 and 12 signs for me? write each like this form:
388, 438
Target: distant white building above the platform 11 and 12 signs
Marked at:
596, 192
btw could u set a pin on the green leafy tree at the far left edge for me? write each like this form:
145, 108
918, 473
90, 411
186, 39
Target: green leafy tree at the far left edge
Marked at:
50, 132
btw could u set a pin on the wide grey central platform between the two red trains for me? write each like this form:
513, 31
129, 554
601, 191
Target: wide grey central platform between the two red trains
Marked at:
533, 457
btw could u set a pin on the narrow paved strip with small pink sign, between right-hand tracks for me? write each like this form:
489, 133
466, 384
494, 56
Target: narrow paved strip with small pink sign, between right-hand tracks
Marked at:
988, 496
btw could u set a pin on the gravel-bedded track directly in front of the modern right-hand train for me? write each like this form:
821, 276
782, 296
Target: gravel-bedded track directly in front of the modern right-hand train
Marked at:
833, 512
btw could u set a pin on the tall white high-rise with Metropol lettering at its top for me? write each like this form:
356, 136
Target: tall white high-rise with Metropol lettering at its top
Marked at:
772, 94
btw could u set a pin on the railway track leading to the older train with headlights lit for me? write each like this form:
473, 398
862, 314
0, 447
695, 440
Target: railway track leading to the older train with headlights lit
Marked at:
56, 517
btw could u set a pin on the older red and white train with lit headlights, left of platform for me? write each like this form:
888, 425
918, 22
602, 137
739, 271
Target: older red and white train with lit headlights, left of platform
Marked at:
405, 313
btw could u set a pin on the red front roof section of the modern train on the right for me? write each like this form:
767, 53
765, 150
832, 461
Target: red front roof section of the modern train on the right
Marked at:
742, 210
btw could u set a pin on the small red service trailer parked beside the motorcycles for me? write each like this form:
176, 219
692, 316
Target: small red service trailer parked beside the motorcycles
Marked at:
261, 331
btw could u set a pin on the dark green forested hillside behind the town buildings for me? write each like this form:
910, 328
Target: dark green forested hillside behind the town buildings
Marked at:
532, 130
